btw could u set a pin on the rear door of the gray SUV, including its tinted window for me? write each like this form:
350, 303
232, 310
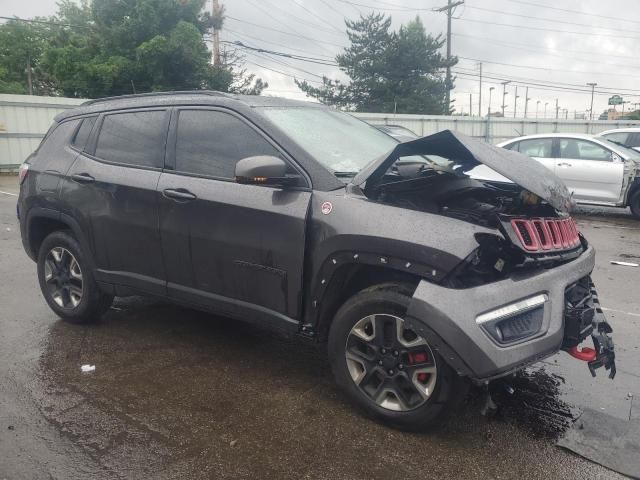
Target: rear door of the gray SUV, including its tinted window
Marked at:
111, 191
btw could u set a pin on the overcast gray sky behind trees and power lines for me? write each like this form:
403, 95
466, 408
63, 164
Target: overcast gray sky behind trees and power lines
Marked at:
552, 47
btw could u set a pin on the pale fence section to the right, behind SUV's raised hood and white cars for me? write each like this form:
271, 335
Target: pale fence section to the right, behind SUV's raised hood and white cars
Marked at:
493, 130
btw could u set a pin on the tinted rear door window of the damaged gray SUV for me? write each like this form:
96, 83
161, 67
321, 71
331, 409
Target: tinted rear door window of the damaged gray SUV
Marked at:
136, 138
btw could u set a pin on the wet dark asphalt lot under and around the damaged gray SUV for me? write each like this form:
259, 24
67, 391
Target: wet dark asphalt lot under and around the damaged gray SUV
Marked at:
182, 394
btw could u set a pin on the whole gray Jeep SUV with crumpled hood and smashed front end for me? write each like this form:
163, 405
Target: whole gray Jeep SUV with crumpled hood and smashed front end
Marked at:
303, 219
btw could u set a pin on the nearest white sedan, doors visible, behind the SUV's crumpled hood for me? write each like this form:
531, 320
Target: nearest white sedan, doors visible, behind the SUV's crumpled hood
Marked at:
596, 171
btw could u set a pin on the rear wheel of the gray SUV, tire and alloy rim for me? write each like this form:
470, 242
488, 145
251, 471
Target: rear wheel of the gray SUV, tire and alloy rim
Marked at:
67, 282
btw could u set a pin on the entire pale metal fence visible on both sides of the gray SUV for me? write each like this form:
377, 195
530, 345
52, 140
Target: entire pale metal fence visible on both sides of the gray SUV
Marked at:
24, 120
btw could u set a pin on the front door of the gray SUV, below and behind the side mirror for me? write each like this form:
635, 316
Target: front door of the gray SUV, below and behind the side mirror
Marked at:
224, 243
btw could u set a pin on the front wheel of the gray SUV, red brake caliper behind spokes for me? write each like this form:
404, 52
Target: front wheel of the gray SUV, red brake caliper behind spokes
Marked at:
386, 368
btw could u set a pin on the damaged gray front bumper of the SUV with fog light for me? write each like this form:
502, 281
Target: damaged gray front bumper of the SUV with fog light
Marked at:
492, 330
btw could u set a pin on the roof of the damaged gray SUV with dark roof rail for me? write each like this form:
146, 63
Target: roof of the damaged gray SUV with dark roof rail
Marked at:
195, 97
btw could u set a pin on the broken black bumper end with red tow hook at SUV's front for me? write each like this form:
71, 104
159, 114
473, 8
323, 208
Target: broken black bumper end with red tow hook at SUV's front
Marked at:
584, 317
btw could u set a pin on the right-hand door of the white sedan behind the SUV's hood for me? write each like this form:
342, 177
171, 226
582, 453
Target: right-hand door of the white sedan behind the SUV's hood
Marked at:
591, 171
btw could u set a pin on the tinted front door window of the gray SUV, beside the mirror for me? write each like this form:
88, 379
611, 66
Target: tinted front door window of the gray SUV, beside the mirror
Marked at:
211, 143
